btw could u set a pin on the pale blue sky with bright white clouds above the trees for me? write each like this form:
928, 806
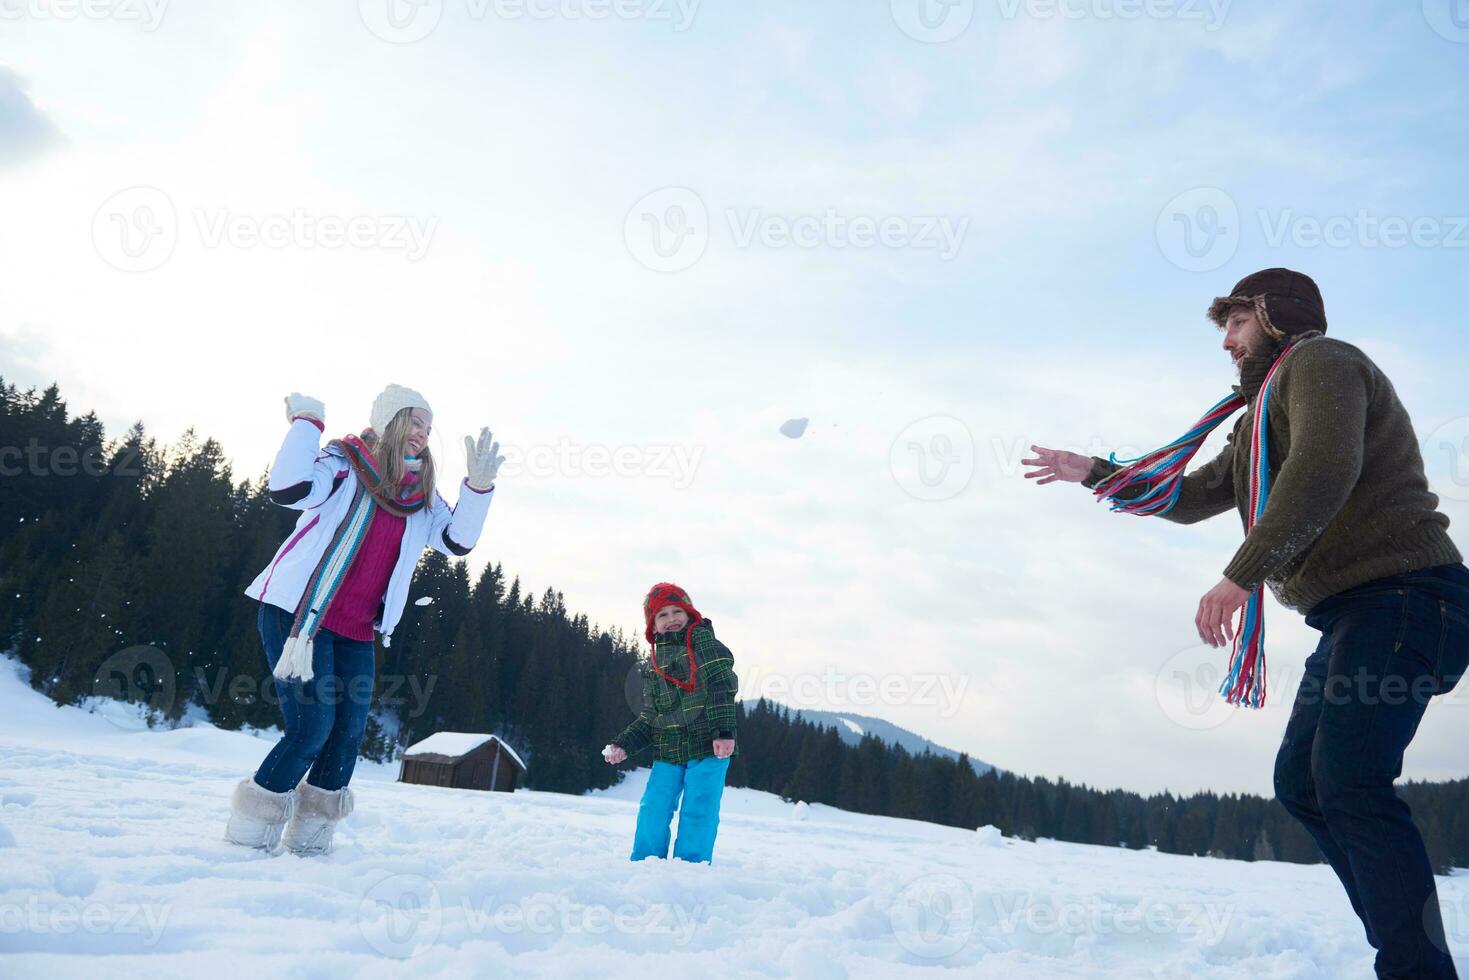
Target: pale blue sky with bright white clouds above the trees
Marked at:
635, 237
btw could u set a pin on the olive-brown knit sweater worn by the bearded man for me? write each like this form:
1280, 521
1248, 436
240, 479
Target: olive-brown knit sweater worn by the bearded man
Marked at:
1349, 499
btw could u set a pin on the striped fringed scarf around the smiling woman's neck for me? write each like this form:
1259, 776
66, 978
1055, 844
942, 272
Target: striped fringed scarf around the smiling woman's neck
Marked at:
337, 561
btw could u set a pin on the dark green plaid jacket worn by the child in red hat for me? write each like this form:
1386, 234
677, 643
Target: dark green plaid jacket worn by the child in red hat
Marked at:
682, 725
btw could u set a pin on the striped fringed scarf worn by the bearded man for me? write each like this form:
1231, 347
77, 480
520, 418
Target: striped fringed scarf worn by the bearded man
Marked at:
1161, 474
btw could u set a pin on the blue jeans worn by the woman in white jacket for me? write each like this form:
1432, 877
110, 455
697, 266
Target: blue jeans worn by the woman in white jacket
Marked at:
325, 718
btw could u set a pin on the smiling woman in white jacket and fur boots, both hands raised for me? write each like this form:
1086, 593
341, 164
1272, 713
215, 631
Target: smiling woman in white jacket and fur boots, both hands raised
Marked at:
368, 508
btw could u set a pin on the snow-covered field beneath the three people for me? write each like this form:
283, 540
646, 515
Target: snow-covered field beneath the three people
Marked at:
112, 865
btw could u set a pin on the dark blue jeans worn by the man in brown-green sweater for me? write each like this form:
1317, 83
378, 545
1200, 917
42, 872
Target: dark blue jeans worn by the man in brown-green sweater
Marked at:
1386, 650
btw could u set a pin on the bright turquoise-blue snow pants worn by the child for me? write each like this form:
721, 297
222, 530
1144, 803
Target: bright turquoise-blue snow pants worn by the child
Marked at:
701, 784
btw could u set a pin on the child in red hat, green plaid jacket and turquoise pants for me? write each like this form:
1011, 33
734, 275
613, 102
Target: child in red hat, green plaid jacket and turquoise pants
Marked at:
688, 716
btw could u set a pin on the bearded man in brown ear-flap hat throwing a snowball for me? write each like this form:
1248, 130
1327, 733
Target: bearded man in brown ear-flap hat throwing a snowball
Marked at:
1352, 537
